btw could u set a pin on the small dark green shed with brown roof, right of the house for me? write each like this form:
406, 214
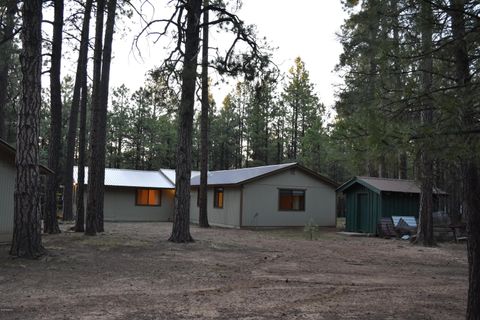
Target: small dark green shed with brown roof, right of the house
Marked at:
369, 199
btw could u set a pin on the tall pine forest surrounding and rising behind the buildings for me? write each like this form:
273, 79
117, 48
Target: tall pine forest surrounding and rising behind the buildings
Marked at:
408, 107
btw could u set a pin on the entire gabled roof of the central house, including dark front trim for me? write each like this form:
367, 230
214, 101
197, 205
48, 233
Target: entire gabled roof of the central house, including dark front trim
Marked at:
246, 175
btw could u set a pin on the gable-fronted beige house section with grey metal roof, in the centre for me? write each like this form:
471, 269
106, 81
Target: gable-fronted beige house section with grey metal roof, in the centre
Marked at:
284, 195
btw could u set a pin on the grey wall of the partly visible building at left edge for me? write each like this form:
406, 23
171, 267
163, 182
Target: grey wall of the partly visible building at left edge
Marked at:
7, 186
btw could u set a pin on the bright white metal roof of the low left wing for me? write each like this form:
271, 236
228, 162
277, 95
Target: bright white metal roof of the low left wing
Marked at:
131, 178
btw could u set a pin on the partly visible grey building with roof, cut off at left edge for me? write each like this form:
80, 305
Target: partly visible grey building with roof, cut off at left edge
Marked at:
7, 189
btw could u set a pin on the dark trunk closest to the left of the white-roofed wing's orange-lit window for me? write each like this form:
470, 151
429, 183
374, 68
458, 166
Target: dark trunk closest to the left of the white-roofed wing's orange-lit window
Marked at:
96, 171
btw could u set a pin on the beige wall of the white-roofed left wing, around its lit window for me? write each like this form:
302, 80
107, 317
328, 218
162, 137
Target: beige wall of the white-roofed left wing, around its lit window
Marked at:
119, 205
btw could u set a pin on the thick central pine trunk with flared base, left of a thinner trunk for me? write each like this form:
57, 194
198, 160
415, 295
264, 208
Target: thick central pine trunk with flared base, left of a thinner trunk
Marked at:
181, 218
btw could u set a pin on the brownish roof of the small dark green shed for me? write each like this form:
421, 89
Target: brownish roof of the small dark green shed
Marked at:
386, 185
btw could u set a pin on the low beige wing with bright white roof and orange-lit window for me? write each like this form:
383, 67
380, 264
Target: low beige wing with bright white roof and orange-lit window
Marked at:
136, 195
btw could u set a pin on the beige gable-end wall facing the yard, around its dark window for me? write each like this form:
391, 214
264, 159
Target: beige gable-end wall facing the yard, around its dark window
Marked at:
261, 201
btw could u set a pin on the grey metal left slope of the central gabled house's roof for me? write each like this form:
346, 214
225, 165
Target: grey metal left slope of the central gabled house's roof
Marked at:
236, 176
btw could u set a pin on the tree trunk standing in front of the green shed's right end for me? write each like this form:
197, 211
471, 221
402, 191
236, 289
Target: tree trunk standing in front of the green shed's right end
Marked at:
425, 227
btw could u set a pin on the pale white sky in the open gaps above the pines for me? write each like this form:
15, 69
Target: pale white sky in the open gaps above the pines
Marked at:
304, 28
